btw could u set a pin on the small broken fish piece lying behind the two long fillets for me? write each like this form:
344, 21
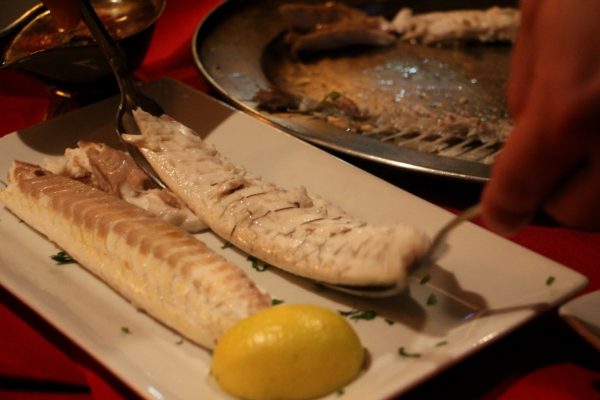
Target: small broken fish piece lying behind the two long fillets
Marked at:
114, 171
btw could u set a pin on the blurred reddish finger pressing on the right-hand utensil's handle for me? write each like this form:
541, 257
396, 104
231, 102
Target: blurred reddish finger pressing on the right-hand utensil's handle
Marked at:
531, 163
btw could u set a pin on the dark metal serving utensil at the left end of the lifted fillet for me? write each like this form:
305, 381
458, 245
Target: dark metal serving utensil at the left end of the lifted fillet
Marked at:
131, 97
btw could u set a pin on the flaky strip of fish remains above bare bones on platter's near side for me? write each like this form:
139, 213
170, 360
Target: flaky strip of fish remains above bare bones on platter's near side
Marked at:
374, 118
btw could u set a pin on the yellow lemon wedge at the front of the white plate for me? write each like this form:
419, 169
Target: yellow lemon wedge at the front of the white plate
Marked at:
290, 352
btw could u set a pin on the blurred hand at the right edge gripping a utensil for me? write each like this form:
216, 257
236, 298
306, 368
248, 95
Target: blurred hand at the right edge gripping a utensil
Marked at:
552, 159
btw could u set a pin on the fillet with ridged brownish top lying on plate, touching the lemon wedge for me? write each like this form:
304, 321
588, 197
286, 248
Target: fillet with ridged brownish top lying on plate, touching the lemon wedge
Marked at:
159, 268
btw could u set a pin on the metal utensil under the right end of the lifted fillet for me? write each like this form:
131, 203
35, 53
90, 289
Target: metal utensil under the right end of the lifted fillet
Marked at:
433, 253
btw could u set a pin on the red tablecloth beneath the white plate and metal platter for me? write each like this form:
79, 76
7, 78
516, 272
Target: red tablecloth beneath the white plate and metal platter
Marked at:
543, 360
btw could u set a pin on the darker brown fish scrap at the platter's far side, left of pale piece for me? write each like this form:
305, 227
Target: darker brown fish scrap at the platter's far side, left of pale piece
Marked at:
317, 27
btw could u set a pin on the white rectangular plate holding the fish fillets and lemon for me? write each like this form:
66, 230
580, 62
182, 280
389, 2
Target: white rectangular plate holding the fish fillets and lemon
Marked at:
485, 286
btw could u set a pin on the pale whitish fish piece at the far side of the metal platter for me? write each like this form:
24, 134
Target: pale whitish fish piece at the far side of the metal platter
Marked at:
492, 25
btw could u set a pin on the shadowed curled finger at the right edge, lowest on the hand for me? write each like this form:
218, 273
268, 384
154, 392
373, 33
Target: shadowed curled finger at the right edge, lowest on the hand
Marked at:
576, 203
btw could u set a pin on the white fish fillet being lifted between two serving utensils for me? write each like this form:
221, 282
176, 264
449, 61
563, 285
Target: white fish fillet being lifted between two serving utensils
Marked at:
291, 229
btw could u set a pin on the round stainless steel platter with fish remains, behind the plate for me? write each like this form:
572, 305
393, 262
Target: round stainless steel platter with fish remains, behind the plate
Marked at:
239, 50
